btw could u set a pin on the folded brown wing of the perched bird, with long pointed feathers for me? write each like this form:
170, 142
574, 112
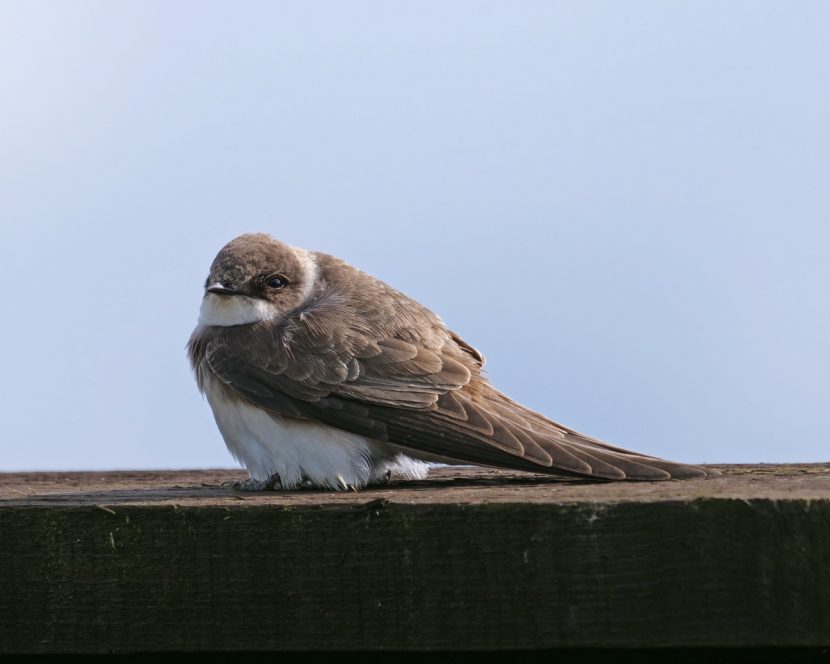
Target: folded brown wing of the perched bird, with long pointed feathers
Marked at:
426, 396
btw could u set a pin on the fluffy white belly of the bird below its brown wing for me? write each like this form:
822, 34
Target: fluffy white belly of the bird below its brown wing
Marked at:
302, 451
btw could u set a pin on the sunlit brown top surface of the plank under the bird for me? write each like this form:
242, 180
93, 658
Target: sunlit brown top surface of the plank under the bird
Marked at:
459, 485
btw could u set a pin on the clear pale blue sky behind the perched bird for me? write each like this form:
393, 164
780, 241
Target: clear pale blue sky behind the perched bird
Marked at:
625, 206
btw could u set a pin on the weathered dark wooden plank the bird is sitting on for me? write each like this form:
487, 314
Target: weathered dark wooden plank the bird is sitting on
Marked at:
473, 559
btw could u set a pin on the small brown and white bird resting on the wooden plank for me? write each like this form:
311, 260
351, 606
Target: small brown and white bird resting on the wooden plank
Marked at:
321, 376
